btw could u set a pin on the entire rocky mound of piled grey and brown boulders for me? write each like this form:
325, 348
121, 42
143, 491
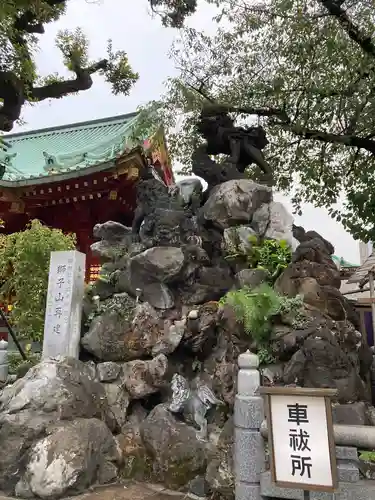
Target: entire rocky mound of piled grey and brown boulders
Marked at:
156, 398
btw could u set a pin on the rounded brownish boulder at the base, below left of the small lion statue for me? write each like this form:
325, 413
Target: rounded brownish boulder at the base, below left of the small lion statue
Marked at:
177, 456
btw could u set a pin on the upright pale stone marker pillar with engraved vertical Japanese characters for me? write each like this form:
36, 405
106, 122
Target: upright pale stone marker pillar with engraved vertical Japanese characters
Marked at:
62, 327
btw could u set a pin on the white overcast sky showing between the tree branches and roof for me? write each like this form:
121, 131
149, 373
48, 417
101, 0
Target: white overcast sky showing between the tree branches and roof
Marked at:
131, 27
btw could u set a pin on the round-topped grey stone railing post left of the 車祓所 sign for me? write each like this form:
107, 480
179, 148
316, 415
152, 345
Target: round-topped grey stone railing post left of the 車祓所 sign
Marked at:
249, 458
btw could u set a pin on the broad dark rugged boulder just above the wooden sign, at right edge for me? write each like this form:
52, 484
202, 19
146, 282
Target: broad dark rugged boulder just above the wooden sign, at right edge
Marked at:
323, 353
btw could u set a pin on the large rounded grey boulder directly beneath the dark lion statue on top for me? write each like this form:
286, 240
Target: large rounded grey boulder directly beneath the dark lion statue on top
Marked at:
235, 202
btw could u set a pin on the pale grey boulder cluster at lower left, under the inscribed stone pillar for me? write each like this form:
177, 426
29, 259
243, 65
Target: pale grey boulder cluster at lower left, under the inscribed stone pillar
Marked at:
55, 430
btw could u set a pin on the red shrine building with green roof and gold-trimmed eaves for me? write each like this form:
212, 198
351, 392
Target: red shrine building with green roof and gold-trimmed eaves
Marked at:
74, 176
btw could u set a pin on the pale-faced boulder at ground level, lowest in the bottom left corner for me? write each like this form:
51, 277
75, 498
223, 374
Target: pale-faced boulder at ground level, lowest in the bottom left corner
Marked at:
73, 456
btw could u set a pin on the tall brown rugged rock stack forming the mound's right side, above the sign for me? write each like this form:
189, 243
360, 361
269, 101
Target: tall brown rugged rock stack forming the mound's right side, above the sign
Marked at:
326, 350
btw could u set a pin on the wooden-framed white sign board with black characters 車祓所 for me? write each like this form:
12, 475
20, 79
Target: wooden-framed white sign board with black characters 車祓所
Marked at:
300, 437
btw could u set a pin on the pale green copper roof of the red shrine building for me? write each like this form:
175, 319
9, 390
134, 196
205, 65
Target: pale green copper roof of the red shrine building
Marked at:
39, 153
